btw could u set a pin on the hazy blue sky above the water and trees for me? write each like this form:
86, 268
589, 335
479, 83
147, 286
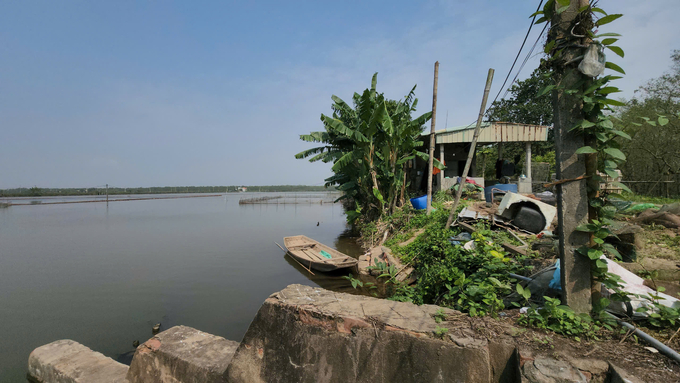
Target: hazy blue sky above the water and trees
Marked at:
174, 93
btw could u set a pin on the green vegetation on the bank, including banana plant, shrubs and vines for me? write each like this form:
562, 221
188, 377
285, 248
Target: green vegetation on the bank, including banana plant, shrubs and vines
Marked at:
367, 155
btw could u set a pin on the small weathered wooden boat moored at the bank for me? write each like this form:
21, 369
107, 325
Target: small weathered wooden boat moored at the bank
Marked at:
315, 255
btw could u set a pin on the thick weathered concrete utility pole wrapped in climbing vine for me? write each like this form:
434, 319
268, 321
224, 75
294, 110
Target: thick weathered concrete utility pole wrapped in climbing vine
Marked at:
572, 198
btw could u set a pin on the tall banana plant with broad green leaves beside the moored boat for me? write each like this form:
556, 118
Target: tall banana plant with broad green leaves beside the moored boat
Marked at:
369, 145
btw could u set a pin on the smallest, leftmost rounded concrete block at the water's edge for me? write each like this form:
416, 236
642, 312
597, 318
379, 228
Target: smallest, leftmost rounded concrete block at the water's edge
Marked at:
67, 361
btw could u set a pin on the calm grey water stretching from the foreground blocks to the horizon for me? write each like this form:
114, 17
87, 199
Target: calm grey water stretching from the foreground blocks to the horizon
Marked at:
104, 275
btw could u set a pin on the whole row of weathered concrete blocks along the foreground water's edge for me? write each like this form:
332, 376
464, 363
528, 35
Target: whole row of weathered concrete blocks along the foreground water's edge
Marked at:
306, 334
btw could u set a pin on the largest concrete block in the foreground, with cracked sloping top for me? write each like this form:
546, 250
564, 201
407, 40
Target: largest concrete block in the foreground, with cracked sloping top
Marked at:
305, 334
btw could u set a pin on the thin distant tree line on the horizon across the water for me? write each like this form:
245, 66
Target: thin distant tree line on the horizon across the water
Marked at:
38, 192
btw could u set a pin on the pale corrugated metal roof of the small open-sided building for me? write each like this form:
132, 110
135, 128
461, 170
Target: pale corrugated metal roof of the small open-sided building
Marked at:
492, 132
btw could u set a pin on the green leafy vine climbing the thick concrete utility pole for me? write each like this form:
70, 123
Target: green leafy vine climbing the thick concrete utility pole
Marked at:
602, 151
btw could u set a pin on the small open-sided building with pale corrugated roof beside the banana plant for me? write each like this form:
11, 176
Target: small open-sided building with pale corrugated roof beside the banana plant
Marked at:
453, 145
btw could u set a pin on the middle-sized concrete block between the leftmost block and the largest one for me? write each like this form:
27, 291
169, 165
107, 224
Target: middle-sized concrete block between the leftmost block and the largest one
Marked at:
181, 354
